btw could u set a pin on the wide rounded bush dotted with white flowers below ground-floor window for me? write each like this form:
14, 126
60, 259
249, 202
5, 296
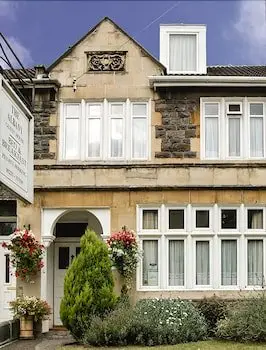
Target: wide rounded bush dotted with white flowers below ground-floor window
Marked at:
166, 321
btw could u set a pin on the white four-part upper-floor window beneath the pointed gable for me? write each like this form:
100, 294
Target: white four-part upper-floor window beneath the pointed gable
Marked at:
104, 130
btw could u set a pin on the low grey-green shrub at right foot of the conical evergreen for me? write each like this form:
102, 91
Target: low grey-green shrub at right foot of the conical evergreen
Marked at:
111, 330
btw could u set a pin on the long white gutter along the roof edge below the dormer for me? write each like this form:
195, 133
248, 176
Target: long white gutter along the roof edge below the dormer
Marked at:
204, 80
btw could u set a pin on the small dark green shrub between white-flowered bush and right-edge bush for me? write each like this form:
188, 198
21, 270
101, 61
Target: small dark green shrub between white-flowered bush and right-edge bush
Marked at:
214, 309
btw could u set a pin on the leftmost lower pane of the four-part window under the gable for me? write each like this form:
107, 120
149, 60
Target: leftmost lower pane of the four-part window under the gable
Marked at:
72, 139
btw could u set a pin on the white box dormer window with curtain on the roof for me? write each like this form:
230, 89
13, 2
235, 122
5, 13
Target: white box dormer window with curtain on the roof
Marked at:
183, 49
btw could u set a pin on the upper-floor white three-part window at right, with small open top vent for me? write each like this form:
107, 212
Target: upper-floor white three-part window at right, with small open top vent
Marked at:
233, 129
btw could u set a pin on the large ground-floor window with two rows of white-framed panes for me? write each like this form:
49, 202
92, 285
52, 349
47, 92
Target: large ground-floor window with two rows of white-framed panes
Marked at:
193, 247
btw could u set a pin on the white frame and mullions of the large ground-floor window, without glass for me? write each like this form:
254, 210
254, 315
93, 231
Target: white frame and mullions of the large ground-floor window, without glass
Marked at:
190, 235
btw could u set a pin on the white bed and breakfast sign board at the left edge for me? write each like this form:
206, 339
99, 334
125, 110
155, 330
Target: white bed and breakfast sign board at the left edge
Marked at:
16, 143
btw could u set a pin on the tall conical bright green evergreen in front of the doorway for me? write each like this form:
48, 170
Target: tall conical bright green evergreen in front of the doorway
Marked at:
88, 286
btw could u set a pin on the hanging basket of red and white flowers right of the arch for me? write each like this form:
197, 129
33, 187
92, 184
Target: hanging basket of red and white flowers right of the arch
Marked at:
125, 253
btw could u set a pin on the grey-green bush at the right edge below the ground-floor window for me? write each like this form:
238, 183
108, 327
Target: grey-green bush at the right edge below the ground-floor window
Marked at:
246, 321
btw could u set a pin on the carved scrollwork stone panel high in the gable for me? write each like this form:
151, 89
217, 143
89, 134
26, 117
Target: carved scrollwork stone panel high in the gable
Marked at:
102, 61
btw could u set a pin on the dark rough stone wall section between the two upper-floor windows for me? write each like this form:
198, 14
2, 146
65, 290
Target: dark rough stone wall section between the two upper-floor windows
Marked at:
177, 126
